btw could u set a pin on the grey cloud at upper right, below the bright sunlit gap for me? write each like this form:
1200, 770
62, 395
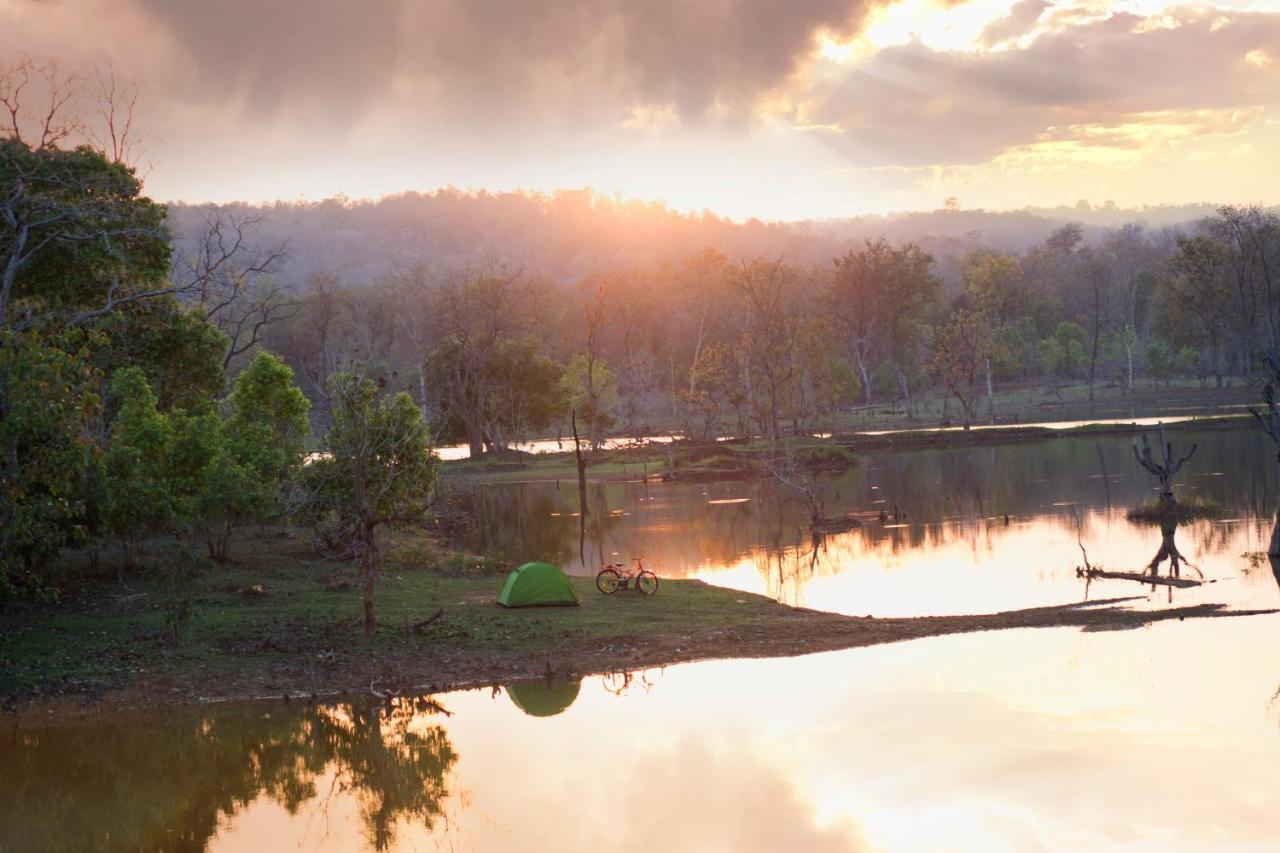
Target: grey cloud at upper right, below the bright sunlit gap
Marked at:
912, 106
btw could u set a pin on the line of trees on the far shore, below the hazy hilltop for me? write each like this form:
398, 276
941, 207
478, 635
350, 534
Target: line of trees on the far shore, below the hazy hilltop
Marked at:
712, 345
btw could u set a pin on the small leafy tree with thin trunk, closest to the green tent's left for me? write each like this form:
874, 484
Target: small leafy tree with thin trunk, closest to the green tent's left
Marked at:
378, 469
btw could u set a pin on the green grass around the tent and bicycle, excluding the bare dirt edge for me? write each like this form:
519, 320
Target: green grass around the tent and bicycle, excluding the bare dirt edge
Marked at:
292, 619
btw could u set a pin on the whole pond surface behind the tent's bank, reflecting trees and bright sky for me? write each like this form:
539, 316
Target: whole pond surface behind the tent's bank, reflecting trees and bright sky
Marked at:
964, 531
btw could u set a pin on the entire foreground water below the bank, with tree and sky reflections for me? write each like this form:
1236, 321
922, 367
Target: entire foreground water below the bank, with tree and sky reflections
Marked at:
1163, 738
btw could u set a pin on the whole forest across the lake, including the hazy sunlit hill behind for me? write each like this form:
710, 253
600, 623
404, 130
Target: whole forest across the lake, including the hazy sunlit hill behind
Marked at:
646, 321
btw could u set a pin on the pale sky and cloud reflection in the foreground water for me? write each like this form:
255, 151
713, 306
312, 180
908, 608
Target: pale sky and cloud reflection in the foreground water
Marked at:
1162, 738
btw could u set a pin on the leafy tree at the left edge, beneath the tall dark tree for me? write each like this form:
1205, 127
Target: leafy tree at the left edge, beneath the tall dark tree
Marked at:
47, 402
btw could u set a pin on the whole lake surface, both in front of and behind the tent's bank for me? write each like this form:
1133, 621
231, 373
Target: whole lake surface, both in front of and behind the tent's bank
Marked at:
1164, 737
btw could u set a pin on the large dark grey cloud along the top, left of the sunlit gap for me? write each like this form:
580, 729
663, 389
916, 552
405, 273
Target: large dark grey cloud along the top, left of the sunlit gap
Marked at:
493, 56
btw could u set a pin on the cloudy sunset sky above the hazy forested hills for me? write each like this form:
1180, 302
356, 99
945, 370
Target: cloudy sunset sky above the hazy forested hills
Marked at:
746, 108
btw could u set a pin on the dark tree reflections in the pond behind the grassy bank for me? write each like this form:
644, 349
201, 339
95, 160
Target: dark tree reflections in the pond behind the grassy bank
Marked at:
944, 494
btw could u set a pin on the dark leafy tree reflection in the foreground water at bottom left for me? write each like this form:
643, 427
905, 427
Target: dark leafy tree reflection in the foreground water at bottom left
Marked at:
164, 783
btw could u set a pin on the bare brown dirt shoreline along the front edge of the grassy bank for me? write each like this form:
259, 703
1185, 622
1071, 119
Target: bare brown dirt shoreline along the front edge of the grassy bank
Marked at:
787, 633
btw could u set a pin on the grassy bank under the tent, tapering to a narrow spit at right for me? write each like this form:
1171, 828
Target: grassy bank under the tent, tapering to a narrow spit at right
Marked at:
281, 621
